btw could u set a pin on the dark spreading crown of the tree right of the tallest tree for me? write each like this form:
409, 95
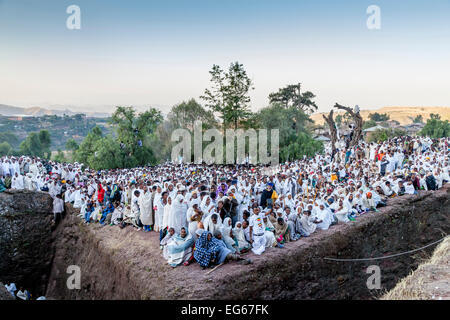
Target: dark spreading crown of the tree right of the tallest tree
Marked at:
291, 96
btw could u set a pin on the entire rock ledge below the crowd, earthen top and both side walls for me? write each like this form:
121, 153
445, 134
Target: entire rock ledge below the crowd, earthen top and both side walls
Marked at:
125, 264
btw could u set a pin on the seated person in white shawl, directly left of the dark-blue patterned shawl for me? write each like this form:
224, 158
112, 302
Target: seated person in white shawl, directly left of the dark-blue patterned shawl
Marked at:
179, 249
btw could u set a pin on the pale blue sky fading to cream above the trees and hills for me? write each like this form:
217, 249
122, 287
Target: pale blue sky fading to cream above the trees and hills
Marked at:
158, 53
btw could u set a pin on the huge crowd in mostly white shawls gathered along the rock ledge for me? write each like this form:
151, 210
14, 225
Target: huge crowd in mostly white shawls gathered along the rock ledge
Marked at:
211, 214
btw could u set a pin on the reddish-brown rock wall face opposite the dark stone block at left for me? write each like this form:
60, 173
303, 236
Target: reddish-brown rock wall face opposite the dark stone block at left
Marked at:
102, 276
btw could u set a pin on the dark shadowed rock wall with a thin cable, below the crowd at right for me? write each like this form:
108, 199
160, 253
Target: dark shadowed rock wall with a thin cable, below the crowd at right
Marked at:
408, 223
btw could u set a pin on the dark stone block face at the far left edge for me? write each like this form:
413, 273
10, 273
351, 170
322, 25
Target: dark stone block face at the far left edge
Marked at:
26, 244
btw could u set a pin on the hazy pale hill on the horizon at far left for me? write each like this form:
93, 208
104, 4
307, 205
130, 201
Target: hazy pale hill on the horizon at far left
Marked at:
10, 111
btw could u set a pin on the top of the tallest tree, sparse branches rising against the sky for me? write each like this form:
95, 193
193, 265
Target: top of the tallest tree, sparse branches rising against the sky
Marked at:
229, 94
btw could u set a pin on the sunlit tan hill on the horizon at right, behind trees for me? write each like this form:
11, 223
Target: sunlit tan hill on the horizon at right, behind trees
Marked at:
404, 115
